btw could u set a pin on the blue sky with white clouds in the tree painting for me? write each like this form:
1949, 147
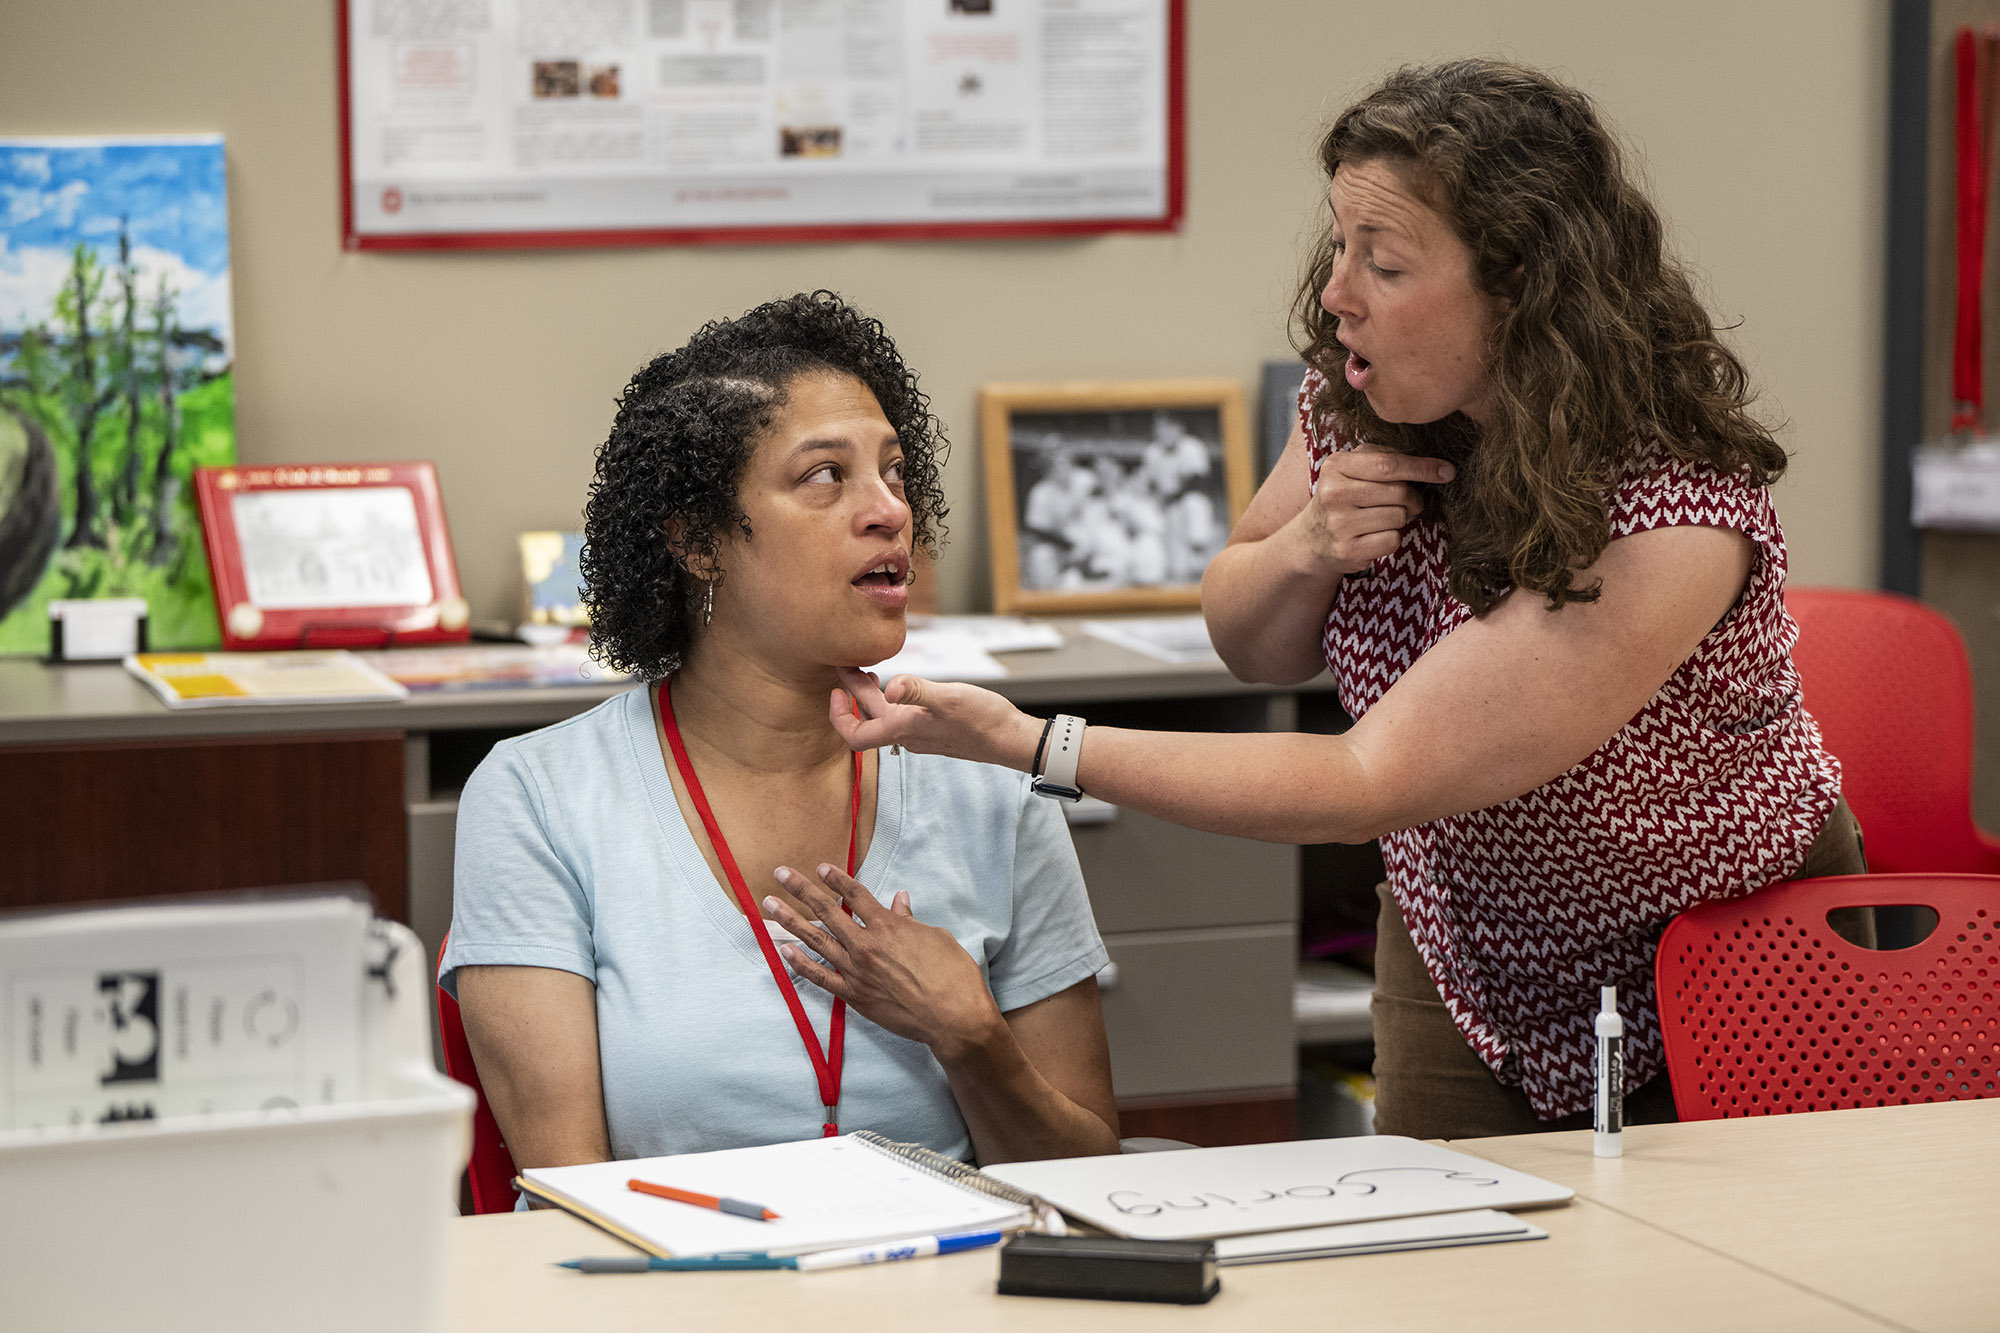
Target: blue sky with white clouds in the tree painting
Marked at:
55, 193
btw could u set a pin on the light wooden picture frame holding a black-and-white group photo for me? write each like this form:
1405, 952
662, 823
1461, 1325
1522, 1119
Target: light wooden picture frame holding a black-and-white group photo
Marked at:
1111, 495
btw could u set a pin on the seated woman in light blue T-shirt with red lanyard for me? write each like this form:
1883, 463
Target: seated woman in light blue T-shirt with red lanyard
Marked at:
751, 533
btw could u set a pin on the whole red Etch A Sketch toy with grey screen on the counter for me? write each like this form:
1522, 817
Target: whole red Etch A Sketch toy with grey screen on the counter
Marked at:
345, 555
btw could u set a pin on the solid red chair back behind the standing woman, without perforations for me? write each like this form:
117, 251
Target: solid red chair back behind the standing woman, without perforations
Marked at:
1887, 680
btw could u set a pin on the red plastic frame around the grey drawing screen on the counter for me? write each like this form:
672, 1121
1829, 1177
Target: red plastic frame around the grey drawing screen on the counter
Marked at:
445, 619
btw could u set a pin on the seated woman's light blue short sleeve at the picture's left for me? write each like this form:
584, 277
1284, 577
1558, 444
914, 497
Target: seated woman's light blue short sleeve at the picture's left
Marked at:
517, 900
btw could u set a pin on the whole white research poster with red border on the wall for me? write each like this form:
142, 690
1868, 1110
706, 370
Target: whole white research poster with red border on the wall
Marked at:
501, 123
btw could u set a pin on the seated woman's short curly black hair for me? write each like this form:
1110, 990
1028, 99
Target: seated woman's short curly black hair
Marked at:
681, 441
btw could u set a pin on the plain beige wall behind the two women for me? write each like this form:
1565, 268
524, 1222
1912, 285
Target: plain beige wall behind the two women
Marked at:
1761, 127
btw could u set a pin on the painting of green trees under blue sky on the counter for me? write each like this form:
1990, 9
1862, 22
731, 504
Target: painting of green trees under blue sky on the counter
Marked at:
115, 377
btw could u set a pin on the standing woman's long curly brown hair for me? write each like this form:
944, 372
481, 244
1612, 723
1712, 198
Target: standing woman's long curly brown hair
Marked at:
1601, 341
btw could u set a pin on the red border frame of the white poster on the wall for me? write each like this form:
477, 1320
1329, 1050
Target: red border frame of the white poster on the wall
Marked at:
1177, 27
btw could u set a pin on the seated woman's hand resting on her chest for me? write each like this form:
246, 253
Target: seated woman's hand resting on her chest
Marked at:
903, 976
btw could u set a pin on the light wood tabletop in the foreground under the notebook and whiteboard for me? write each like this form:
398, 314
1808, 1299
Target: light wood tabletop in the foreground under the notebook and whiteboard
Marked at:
1843, 1220
